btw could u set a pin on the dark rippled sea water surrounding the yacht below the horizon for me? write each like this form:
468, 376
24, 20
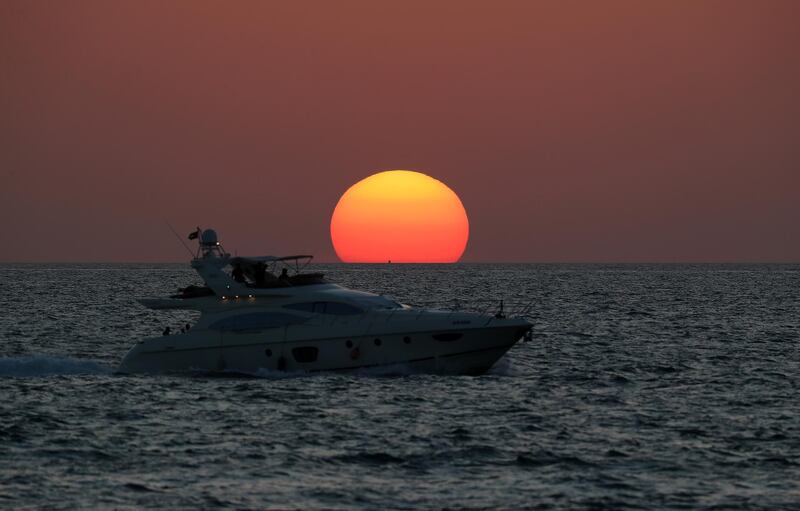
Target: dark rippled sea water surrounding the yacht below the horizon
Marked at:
644, 386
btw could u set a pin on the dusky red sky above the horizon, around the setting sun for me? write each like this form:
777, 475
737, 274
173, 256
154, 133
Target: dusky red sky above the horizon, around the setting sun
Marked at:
572, 131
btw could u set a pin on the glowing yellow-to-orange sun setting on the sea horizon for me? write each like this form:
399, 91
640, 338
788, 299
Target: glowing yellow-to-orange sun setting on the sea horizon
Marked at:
399, 216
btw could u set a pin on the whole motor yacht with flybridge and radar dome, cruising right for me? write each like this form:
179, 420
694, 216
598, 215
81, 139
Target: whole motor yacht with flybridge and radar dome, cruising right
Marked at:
252, 320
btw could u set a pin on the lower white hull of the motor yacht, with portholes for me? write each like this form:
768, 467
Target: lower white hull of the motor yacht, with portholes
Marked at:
455, 351
